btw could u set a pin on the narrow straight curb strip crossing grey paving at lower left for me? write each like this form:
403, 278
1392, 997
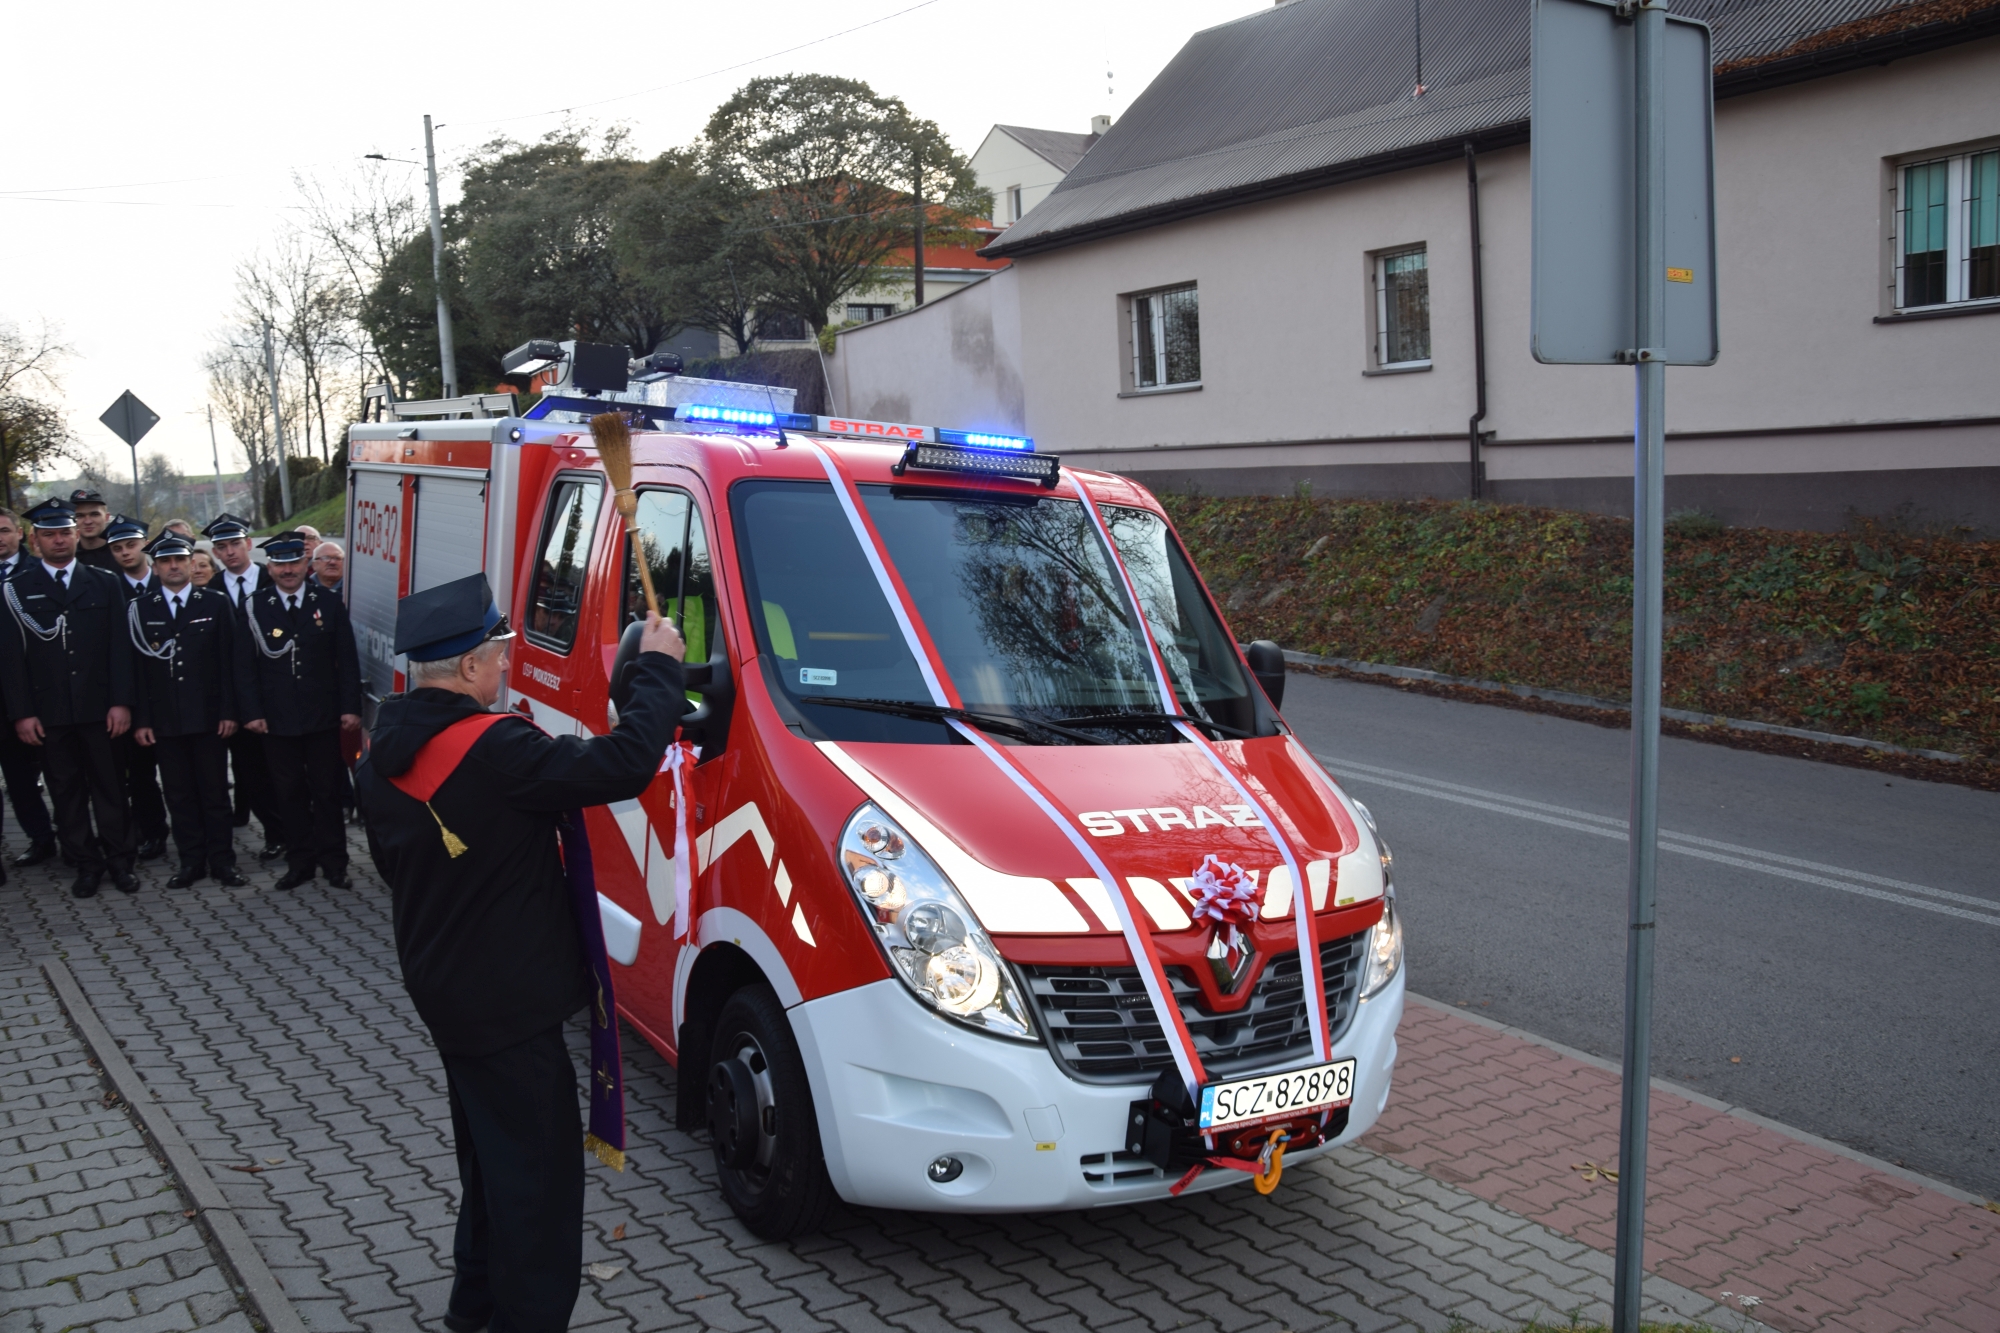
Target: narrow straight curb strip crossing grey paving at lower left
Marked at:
211, 1210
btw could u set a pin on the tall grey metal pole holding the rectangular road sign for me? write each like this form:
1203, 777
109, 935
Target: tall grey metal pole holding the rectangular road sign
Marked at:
1649, 481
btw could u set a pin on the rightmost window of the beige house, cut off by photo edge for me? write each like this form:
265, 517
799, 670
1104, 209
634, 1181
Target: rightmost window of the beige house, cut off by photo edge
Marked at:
1949, 231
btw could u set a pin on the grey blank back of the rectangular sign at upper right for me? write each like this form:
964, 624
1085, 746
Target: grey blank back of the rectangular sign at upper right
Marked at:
1583, 159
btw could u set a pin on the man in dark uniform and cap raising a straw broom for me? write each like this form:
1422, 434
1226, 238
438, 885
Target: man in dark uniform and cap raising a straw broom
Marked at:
489, 942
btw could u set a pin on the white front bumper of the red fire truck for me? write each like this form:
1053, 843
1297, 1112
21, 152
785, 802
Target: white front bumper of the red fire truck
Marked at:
897, 1088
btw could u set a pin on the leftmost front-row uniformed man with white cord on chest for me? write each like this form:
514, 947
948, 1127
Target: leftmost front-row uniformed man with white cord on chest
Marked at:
67, 672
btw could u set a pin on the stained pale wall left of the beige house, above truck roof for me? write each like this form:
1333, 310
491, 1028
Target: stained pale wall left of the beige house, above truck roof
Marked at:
951, 363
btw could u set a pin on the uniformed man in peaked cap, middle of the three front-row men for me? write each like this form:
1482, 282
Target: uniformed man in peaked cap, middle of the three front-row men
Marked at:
189, 661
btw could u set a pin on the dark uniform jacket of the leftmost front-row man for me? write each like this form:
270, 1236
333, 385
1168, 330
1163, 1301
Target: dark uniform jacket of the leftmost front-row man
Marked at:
85, 665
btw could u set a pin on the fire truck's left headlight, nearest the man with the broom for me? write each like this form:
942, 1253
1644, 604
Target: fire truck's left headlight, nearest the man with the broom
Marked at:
927, 930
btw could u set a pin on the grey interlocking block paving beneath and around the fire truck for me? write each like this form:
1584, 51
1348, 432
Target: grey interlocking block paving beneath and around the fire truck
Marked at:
275, 1028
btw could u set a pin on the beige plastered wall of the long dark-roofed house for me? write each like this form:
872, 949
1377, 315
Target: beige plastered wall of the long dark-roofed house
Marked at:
1813, 411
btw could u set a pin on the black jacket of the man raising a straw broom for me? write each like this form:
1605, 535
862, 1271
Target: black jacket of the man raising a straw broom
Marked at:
489, 944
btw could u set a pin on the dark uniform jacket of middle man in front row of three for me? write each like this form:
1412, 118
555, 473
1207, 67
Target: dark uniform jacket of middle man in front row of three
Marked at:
187, 670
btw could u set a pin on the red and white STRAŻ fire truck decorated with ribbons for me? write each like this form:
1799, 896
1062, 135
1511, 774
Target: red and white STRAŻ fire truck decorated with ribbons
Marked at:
995, 880
